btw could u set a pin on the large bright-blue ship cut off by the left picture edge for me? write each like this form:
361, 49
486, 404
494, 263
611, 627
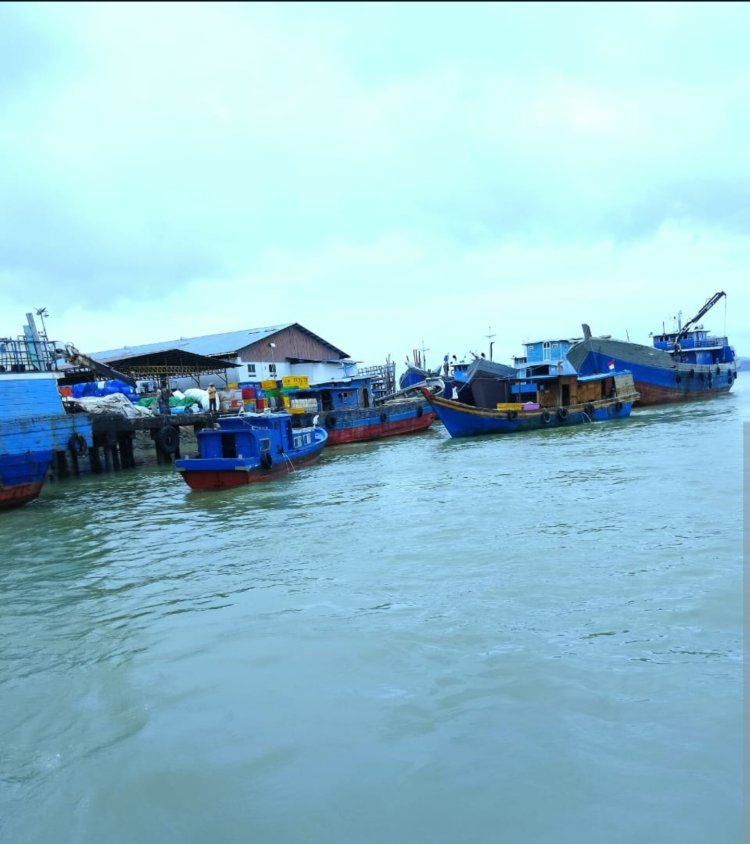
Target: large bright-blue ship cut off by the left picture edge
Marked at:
34, 423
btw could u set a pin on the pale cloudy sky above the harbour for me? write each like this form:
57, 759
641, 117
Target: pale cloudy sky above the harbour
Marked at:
393, 177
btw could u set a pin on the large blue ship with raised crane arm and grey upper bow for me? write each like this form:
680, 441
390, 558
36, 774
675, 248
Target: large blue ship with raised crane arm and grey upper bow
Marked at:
682, 365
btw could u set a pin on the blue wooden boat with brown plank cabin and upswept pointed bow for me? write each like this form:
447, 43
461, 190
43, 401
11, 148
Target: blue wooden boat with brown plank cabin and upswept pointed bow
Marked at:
543, 392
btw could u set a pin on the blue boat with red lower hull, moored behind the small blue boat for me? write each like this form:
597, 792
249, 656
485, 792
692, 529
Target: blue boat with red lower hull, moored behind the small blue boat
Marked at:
352, 411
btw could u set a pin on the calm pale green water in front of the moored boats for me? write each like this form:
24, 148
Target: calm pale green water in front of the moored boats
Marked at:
525, 639
